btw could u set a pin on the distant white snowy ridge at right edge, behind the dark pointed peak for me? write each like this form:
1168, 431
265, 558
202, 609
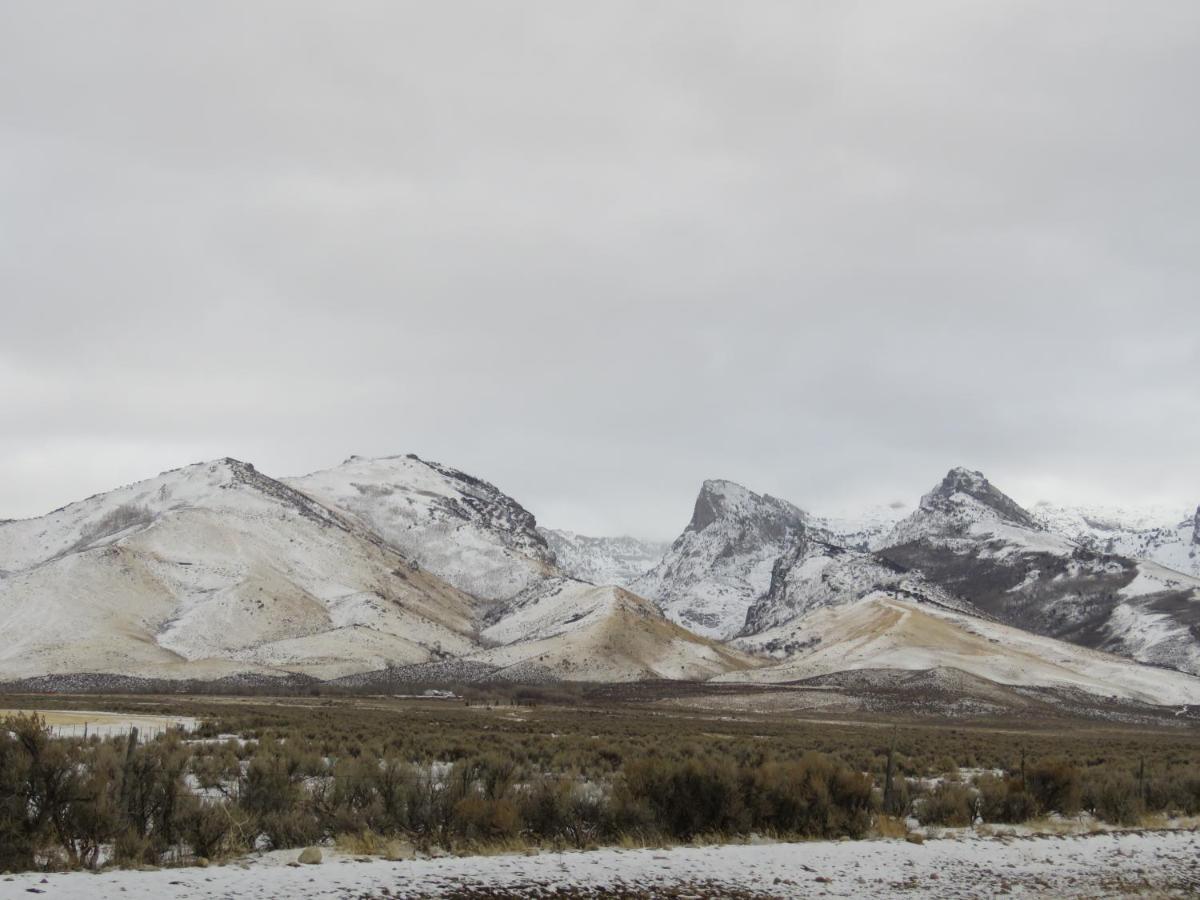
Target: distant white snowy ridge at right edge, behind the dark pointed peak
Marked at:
1168, 537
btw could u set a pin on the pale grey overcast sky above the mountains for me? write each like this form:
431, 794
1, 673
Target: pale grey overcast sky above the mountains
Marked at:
599, 253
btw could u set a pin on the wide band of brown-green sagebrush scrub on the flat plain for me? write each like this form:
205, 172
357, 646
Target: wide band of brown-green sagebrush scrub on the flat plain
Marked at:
376, 772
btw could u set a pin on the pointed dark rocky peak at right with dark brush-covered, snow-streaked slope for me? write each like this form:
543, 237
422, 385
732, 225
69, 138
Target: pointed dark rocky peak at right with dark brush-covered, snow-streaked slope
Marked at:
977, 544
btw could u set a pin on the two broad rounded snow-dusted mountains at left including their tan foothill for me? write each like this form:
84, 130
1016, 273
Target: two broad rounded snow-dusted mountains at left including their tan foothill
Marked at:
219, 571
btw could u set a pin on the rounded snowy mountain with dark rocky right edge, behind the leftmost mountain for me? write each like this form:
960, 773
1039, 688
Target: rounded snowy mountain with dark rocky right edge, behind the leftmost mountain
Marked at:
464, 530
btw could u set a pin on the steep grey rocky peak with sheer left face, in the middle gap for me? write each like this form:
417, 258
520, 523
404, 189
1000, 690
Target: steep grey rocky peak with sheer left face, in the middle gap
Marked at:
723, 562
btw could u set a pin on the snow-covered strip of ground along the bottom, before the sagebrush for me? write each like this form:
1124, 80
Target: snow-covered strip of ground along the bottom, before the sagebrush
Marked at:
1161, 865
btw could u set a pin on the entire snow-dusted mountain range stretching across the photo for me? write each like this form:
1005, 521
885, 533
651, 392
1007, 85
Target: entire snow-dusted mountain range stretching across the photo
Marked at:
404, 568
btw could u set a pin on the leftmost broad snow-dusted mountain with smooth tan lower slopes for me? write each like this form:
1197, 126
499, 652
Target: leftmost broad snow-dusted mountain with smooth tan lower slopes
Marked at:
215, 569
